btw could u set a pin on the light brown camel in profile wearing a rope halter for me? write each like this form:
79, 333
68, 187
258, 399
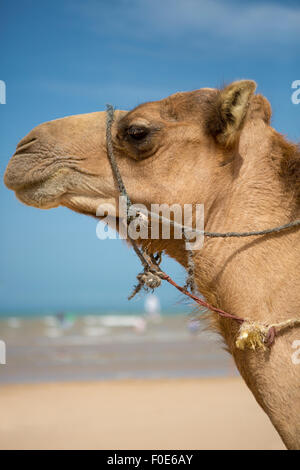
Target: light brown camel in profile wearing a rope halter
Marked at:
210, 146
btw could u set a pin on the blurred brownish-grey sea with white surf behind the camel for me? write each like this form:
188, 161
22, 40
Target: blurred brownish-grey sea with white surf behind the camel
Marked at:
108, 346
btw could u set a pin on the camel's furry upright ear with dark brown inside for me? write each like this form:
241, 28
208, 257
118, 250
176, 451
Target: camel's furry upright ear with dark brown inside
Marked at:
229, 111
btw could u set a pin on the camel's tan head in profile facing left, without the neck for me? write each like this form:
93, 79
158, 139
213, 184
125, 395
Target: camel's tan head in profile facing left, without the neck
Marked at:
174, 150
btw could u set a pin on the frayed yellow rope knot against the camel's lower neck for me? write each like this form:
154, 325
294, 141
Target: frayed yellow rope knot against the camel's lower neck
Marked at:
251, 336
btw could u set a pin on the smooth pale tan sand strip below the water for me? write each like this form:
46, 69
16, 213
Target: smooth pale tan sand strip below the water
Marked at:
170, 414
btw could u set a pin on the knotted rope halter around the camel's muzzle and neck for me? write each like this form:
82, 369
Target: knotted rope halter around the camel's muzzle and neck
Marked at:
252, 335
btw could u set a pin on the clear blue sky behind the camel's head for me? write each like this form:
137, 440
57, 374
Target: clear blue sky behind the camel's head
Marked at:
68, 57
